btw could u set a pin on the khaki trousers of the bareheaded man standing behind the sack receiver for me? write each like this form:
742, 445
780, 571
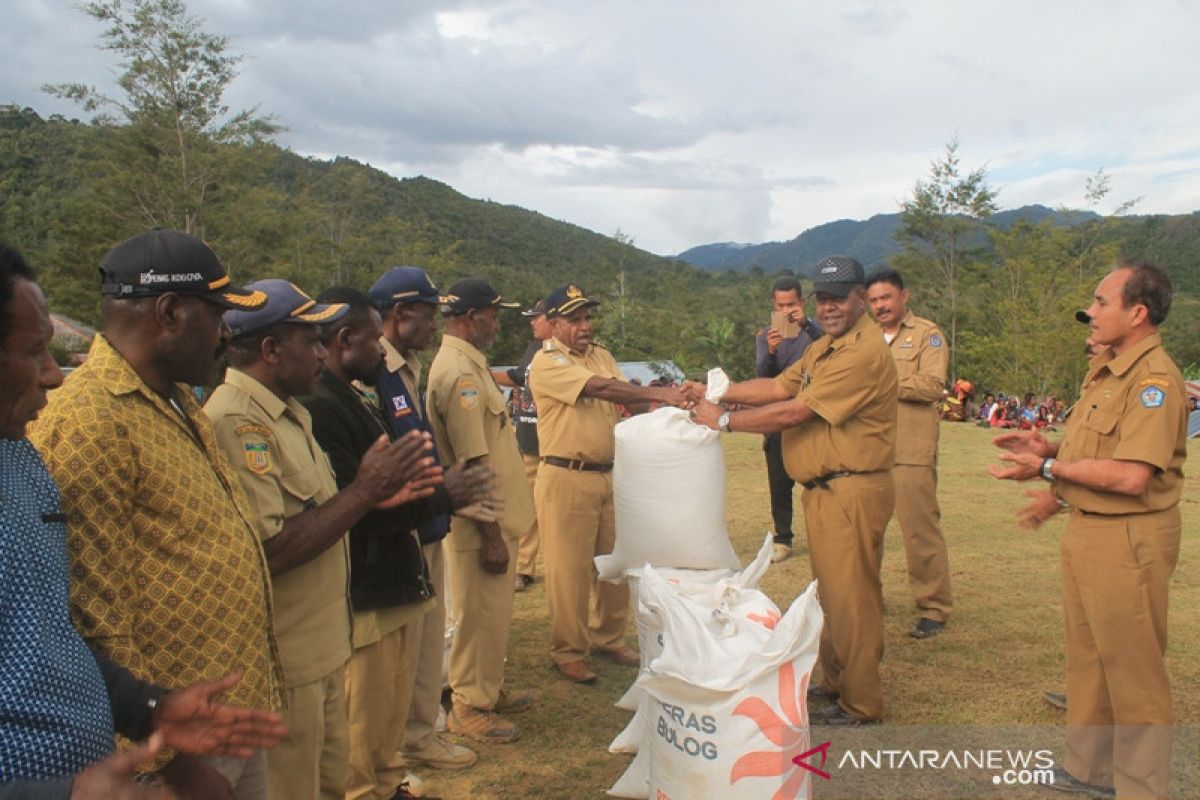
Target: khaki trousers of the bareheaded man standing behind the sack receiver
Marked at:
921, 527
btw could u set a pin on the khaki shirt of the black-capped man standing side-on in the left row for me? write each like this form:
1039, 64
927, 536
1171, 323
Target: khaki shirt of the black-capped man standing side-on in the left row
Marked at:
470, 422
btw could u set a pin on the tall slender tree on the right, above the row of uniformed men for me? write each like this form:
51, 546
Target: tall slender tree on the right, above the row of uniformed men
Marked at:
940, 233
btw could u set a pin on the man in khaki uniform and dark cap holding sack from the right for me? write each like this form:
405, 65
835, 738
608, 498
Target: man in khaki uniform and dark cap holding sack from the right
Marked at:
837, 408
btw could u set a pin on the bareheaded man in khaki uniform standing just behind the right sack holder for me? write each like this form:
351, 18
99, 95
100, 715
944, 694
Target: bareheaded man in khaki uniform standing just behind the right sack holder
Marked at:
921, 356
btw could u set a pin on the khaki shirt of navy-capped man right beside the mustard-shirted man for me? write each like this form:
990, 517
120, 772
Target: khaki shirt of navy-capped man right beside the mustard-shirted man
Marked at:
285, 472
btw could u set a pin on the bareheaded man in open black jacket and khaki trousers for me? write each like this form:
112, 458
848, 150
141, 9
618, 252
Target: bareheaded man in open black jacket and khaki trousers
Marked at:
389, 581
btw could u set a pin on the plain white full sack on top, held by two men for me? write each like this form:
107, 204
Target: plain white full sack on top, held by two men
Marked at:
669, 496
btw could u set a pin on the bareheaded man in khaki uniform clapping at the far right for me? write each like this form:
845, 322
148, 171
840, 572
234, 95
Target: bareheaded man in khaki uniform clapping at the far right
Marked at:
1120, 472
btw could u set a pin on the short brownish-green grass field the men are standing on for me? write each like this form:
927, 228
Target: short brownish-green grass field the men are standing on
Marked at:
1001, 649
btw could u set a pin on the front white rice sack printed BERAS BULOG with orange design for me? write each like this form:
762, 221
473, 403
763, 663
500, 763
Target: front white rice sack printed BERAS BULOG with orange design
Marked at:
724, 682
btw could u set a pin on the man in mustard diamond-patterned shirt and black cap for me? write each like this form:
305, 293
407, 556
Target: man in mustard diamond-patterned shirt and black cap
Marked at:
164, 294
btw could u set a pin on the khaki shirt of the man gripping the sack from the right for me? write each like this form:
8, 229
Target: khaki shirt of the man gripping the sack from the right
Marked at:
850, 382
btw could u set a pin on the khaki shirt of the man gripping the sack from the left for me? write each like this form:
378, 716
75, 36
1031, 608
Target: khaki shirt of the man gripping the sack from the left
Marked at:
572, 426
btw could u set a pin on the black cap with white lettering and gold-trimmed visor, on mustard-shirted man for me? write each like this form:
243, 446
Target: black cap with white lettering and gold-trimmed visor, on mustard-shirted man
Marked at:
159, 262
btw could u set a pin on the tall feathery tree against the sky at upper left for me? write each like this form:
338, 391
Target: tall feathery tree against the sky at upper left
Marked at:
166, 166
